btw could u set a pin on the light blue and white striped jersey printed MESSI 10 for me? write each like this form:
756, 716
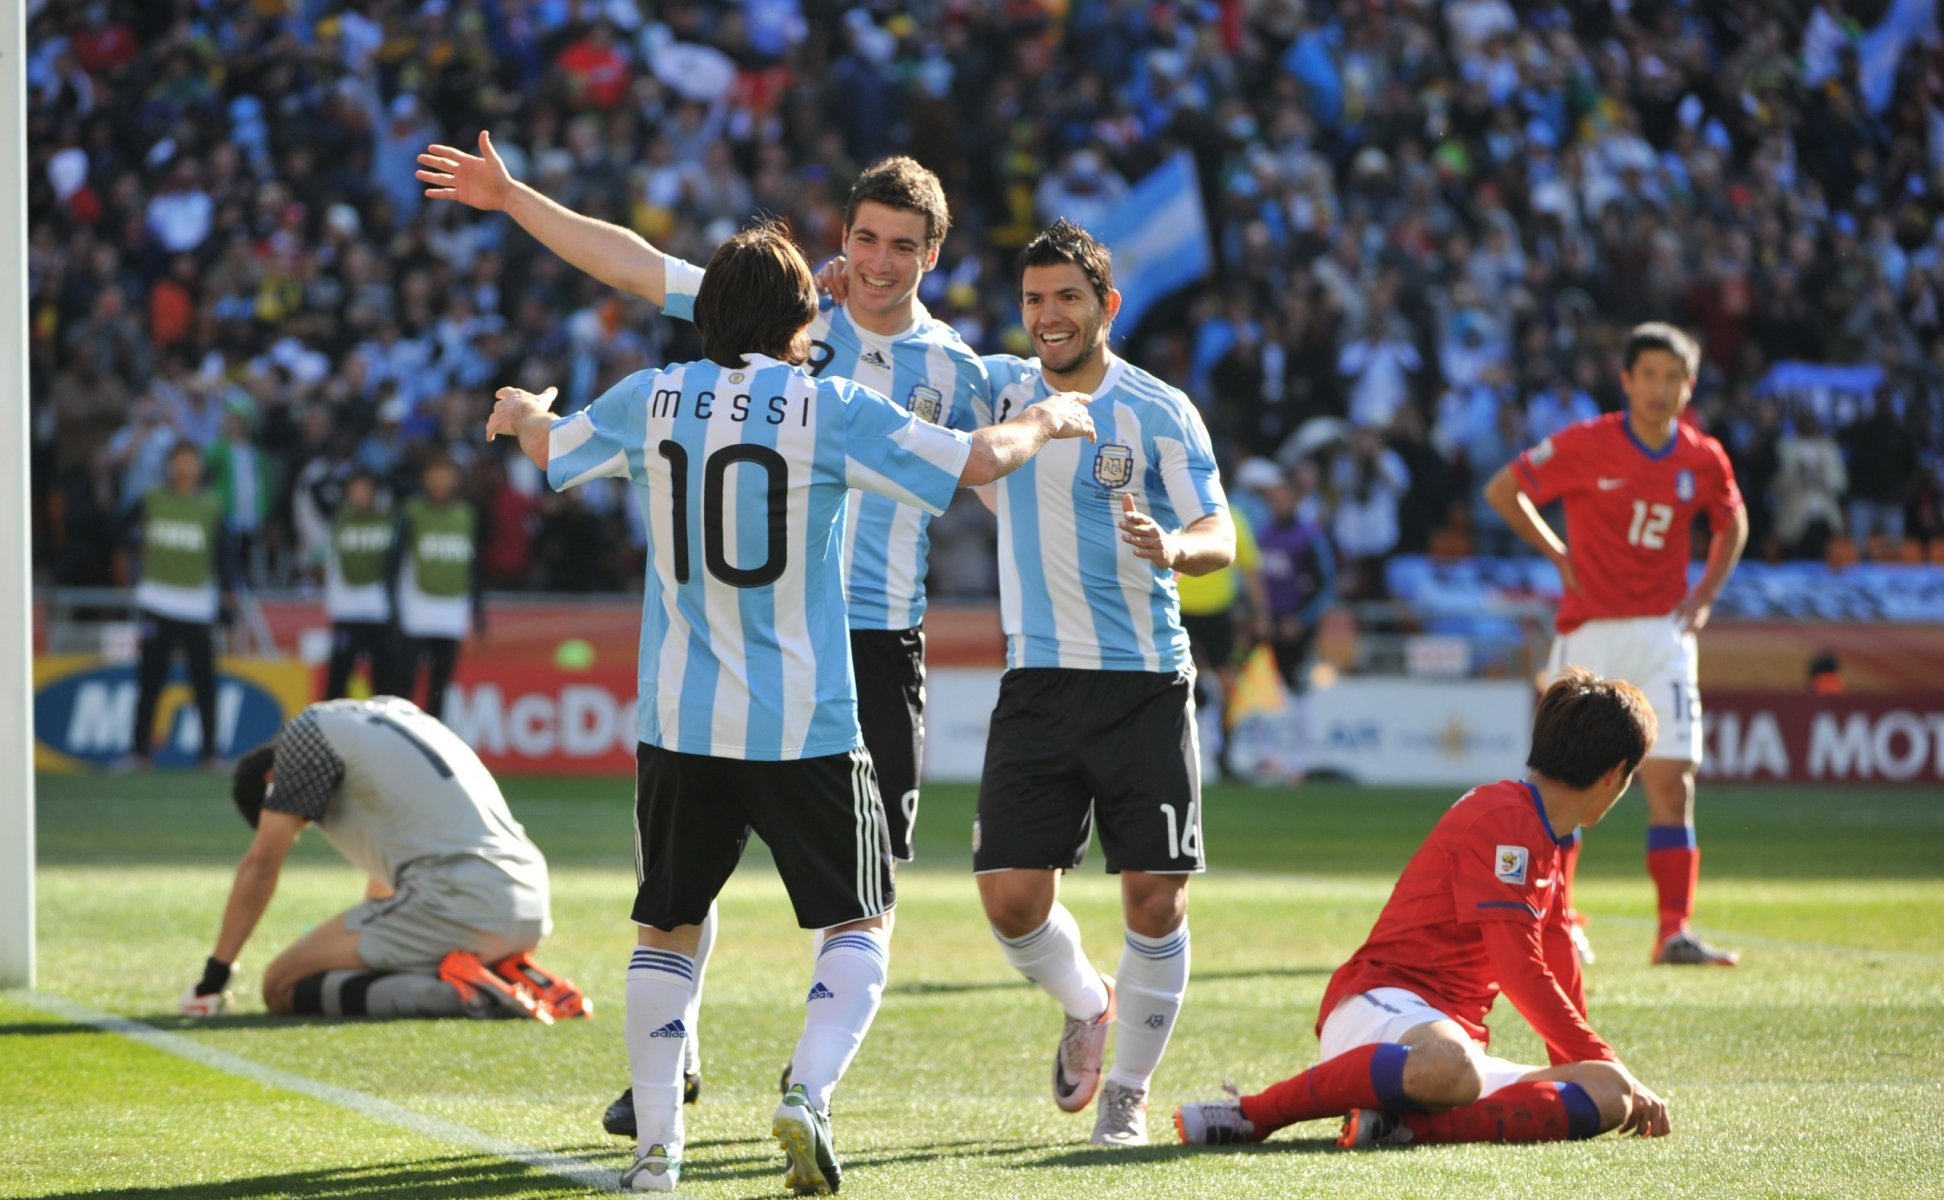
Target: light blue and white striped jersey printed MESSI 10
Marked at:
744, 477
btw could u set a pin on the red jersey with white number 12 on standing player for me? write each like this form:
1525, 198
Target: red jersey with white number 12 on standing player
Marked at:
1630, 512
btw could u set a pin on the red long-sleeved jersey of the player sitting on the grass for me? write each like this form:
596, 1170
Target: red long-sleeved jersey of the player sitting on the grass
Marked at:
1490, 863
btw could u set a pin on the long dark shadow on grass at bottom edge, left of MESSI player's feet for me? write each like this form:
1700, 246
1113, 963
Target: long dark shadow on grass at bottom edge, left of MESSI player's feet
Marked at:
429, 1180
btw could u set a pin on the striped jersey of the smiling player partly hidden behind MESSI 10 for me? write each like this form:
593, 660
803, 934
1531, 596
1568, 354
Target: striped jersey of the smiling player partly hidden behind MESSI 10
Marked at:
928, 371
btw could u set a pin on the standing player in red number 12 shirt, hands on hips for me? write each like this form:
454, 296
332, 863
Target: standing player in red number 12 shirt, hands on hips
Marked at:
1634, 485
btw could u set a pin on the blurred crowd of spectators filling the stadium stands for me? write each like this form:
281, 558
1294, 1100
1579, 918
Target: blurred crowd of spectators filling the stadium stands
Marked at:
1432, 225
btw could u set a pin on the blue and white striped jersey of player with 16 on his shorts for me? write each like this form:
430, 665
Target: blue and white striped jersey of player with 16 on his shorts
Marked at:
1072, 594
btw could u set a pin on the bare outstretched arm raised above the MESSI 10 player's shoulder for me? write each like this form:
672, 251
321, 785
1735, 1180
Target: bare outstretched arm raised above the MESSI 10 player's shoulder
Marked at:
613, 256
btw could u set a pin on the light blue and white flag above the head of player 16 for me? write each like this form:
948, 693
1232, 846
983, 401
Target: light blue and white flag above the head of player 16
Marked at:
1160, 238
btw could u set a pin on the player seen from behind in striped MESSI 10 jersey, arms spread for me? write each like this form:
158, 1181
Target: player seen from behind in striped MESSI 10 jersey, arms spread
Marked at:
749, 715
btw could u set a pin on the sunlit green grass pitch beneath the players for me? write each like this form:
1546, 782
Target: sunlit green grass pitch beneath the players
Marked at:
1817, 1069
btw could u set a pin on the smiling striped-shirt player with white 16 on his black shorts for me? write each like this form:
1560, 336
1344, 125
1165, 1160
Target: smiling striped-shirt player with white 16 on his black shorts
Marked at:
1095, 719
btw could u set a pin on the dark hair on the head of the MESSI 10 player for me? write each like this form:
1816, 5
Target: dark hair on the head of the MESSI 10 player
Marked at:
757, 297
